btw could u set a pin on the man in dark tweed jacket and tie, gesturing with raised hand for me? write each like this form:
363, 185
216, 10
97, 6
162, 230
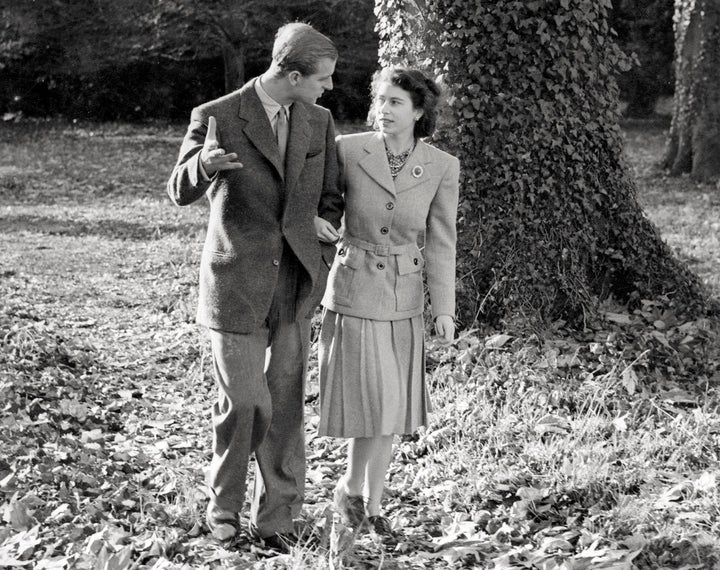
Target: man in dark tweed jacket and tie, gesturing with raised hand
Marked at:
265, 158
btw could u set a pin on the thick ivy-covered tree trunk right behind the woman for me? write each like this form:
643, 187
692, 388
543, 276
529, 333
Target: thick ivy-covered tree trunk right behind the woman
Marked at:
549, 225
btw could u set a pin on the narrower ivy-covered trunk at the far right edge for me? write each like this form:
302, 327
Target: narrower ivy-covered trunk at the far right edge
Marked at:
694, 142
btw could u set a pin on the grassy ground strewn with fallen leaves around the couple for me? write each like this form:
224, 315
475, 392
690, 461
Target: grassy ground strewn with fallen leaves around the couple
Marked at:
600, 452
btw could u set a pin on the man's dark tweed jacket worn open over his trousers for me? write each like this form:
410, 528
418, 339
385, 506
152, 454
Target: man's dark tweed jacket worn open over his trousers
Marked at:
255, 208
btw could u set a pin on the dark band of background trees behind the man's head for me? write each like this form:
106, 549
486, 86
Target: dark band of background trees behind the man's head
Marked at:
137, 59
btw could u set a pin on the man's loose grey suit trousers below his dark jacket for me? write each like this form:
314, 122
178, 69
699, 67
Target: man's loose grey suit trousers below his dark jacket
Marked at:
260, 408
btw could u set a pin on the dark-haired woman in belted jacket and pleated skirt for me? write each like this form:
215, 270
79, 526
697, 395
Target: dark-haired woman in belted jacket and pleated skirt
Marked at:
396, 188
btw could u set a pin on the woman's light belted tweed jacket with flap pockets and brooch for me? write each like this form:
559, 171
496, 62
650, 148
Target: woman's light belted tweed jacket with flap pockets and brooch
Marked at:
377, 273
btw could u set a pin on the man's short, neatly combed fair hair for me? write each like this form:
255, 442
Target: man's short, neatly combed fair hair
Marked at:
299, 47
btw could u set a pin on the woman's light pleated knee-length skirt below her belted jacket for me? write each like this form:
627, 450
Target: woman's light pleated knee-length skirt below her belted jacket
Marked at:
372, 376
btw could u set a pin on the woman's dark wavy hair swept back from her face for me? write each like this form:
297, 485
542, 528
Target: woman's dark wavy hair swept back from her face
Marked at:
424, 94
